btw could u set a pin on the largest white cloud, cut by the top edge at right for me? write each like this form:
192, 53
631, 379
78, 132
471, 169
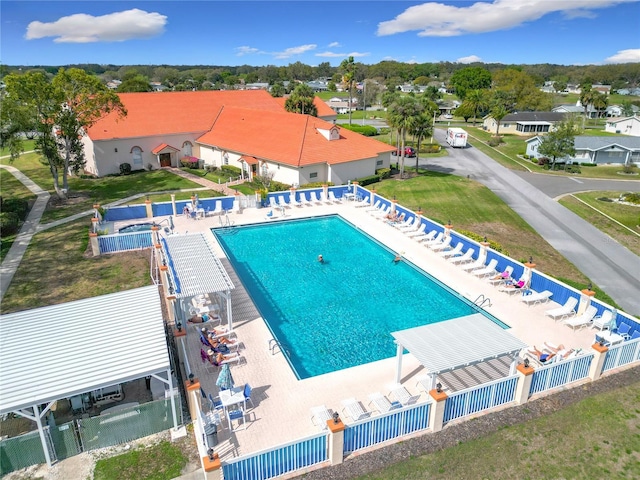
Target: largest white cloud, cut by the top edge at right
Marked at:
439, 20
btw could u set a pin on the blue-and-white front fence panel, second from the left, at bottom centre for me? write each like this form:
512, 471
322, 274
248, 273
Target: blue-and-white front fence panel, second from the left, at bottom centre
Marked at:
378, 429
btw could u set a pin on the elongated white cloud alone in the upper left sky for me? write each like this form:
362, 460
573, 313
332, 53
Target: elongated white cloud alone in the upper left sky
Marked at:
113, 27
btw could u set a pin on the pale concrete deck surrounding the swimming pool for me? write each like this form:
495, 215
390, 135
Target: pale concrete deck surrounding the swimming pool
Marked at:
283, 403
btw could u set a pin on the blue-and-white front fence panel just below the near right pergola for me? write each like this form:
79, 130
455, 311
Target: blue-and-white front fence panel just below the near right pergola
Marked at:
477, 399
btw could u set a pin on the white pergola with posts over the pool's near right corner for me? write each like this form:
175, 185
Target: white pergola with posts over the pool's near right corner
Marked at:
461, 342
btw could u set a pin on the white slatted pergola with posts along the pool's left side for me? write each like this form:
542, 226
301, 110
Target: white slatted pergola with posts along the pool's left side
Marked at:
195, 270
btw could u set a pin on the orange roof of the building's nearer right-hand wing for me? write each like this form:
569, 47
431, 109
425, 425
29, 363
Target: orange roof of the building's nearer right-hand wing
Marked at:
287, 138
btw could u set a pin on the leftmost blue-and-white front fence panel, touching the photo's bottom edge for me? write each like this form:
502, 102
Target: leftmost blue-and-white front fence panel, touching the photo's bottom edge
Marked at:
278, 461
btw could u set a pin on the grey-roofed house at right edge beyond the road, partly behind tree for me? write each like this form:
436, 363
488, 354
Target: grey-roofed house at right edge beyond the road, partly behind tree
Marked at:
596, 150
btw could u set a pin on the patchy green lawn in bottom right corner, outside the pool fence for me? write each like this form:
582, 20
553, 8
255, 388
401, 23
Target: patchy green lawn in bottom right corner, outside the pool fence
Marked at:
598, 437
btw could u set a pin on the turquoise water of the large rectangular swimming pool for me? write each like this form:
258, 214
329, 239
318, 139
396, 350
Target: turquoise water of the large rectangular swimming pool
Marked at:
338, 314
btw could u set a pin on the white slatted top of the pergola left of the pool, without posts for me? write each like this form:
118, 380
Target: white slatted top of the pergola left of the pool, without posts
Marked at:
194, 266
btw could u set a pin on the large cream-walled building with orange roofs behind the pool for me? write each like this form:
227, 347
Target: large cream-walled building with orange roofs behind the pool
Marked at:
248, 129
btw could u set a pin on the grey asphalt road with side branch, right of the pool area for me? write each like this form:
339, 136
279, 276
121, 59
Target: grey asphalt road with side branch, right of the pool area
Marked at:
611, 266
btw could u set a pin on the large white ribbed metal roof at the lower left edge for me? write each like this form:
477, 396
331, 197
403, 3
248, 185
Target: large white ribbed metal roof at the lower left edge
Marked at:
55, 352
